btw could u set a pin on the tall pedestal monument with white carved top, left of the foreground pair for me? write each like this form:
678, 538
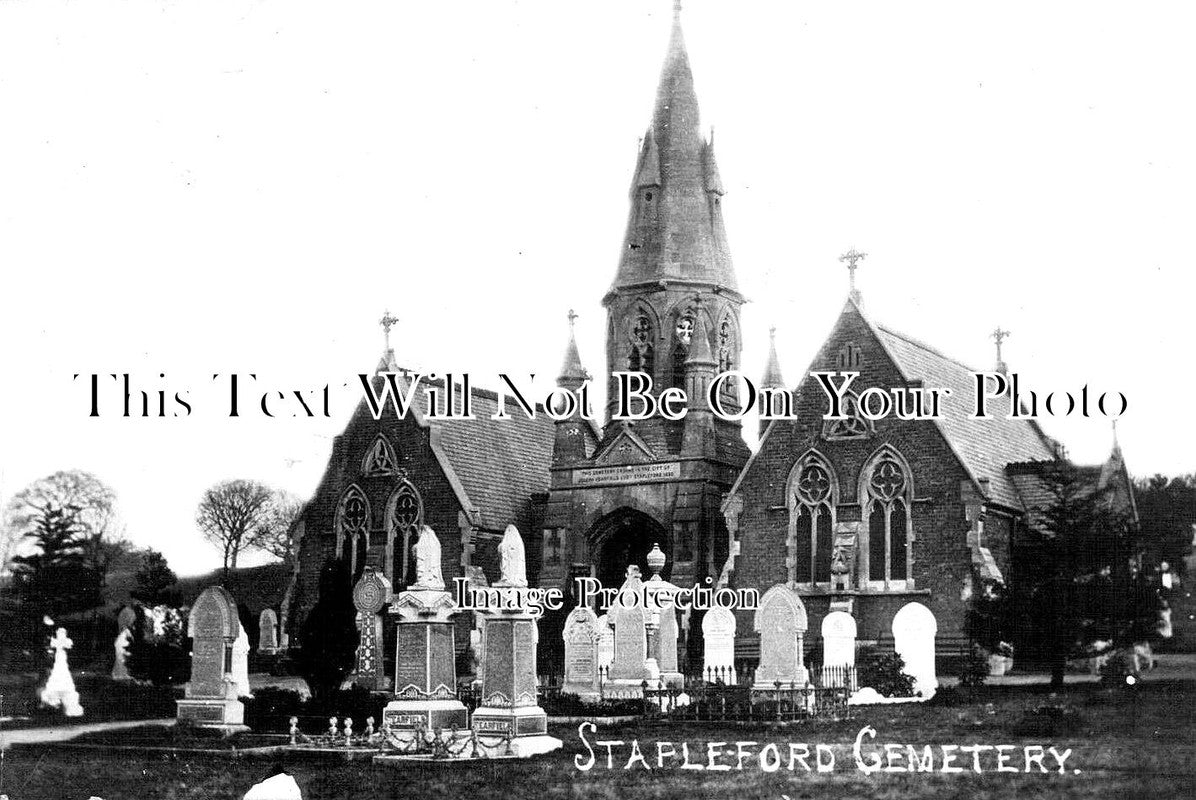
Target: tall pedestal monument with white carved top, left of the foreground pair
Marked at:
425, 656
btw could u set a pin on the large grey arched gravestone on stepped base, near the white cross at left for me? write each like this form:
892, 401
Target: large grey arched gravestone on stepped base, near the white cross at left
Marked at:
211, 695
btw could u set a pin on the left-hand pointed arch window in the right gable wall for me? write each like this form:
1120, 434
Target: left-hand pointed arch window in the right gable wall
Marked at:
814, 496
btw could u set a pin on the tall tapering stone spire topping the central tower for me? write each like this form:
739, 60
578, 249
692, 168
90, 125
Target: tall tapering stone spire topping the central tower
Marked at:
675, 230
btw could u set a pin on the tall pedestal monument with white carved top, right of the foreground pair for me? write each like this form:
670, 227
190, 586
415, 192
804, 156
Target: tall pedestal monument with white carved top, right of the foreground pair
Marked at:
510, 720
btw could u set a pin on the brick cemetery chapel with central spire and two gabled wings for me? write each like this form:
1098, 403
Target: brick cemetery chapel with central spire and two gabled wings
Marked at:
858, 516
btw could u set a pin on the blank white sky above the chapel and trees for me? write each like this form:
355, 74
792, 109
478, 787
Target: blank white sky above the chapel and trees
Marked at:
198, 188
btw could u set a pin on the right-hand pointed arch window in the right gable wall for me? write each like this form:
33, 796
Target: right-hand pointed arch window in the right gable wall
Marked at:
887, 492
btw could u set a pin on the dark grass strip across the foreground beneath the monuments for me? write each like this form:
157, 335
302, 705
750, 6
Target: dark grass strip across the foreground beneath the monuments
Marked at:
1126, 744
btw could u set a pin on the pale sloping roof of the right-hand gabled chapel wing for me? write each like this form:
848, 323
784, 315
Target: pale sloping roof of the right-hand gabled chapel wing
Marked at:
985, 447
